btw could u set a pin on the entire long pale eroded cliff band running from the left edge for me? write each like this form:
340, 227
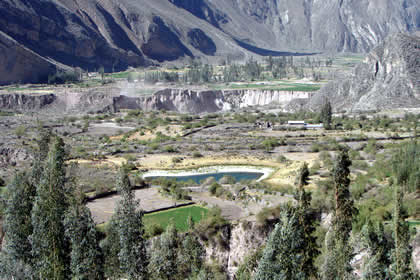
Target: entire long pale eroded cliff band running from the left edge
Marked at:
178, 100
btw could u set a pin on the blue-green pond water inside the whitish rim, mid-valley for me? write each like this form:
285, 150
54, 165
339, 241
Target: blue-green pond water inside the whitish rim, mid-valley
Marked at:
239, 176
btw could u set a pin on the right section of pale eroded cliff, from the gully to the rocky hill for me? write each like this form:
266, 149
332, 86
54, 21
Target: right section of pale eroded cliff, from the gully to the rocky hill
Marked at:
196, 102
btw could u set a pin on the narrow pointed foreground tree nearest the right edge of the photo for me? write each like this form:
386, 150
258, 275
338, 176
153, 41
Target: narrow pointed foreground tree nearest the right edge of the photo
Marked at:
401, 255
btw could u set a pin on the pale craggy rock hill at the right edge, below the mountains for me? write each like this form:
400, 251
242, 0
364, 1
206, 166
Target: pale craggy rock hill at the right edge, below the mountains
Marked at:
388, 78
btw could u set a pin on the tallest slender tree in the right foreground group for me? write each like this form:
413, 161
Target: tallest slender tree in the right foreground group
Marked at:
337, 262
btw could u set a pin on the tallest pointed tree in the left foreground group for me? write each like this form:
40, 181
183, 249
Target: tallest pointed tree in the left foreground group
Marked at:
49, 246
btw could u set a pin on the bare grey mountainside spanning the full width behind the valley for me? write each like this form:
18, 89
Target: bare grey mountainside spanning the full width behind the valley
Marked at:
121, 33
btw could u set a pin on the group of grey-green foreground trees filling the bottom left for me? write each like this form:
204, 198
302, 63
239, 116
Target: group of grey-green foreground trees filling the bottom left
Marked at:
50, 232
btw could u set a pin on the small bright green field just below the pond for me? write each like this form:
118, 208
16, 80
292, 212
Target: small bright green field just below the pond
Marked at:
178, 216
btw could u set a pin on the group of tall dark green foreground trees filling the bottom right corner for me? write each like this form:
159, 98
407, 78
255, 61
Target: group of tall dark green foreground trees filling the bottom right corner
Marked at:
291, 249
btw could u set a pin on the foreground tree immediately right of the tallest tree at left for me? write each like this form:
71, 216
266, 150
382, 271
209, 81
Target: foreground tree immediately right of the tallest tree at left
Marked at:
86, 259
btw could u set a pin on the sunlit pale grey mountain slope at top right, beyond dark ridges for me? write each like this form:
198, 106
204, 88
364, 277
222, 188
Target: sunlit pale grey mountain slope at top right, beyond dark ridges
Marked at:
308, 25
